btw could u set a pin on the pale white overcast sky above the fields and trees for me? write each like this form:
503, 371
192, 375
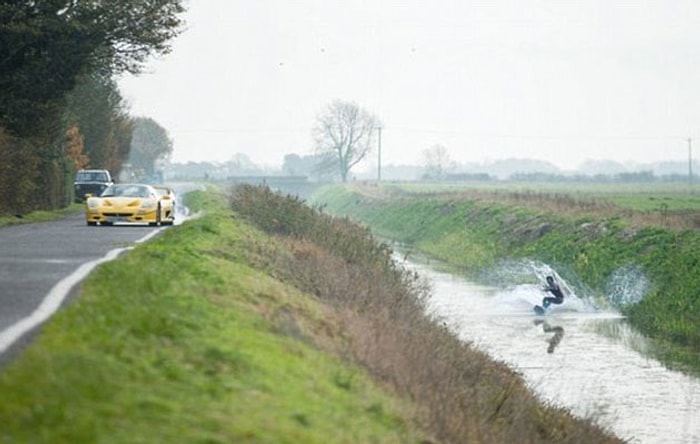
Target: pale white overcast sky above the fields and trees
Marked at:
557, 80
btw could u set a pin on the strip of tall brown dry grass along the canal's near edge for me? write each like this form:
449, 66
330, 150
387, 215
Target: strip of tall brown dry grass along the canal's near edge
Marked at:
462, 396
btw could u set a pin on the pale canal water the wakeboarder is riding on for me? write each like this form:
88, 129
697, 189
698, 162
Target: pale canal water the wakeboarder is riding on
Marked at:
587, 360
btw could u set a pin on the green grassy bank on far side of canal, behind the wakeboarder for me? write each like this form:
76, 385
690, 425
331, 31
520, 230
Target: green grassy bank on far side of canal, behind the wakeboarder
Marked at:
590, 241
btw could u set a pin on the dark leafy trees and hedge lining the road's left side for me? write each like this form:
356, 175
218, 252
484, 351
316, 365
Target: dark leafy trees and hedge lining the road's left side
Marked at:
60, 108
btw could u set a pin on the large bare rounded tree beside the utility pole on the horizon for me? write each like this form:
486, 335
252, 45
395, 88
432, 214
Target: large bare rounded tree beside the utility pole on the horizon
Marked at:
344, 135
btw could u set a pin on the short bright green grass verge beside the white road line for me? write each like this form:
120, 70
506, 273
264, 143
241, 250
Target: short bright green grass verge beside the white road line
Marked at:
182, 341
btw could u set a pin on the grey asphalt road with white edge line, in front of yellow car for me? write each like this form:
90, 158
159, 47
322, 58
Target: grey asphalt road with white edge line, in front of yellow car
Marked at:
40, 263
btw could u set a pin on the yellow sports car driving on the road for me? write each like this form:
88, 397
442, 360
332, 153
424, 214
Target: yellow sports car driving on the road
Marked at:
133, 203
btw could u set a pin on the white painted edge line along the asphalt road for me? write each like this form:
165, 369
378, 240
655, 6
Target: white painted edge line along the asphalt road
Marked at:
57, 295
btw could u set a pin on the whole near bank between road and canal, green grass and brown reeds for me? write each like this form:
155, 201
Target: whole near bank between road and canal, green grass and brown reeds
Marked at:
266, 323
